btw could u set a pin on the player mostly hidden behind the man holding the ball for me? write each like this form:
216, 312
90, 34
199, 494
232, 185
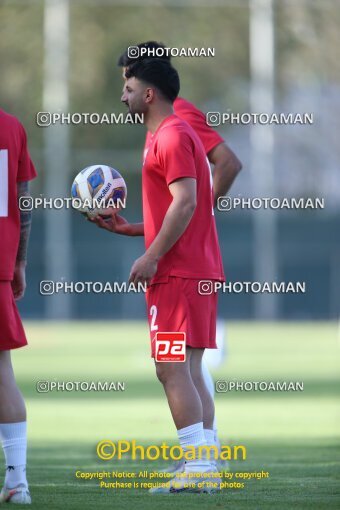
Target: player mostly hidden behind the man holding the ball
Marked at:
226, 167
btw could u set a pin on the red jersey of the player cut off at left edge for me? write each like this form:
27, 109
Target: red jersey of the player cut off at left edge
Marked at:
15, 166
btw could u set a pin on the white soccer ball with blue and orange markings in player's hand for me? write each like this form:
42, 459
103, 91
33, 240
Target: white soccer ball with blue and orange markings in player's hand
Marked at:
98, 189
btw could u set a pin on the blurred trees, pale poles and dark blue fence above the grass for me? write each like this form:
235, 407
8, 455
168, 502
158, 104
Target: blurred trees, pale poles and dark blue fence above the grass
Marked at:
271, 56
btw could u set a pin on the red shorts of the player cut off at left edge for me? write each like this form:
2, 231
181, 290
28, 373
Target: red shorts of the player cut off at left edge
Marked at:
12, 334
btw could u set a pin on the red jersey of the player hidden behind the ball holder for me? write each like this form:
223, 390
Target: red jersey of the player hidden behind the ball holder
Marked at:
193, 116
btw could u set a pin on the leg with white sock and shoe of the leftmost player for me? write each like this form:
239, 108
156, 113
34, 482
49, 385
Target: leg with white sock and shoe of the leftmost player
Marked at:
13, 434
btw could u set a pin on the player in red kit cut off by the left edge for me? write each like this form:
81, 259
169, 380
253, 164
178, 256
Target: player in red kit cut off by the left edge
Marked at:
16, 169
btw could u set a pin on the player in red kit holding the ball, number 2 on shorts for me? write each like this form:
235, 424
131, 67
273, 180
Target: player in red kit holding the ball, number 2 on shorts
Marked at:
181, 249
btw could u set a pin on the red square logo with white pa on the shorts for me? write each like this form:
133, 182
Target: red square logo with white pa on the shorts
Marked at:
170, 347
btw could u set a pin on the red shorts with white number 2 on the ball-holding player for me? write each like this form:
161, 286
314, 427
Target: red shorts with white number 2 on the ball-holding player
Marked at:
177, 306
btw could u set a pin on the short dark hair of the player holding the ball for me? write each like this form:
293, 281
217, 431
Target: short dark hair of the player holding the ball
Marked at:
159, 73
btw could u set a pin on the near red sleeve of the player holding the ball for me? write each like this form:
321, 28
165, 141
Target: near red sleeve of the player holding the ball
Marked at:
175, 154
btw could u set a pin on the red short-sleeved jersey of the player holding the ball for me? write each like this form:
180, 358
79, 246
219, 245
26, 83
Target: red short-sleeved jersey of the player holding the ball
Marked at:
175, 151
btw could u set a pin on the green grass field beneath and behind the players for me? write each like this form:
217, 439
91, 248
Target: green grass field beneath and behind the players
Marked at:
293, 435
